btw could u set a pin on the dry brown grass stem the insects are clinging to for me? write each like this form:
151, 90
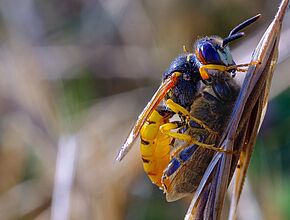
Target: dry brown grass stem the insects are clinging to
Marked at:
208, 200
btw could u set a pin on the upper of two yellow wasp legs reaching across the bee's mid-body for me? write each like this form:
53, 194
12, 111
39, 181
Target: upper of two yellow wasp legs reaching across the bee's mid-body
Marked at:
178, 109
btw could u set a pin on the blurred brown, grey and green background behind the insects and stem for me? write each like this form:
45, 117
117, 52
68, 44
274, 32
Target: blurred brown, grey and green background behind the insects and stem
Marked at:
74, 76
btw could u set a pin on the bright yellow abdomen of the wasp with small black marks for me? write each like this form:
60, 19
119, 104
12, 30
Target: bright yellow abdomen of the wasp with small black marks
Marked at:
155, 147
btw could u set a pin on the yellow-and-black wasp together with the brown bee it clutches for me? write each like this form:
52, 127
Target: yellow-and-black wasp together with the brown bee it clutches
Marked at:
200, 89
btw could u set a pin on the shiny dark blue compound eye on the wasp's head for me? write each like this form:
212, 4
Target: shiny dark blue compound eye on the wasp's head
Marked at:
210, 54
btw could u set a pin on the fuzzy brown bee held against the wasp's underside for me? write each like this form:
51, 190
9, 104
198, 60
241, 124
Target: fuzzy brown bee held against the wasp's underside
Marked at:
213, 106
